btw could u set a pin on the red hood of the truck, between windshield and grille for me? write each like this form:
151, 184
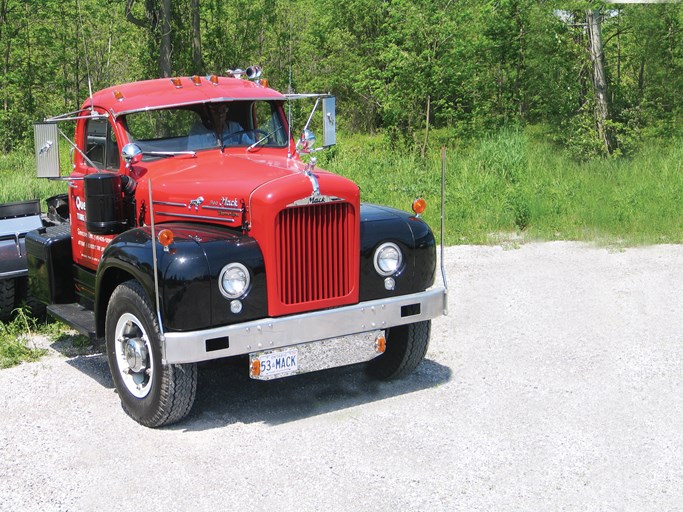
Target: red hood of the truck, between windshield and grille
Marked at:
215, 186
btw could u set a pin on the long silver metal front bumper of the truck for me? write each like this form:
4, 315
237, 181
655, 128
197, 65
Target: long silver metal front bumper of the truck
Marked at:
271, 333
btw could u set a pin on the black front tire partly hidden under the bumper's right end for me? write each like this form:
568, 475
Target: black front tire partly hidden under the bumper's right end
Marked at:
406, 348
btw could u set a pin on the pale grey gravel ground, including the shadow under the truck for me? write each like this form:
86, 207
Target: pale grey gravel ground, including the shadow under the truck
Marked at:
556, 383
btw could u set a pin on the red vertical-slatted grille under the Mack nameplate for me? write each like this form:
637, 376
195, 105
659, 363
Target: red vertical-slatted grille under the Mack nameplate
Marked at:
313, 245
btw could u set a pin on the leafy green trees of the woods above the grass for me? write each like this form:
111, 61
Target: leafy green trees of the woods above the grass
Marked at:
402, 68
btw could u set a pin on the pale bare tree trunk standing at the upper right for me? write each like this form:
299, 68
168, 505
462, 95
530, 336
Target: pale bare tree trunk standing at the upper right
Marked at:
602, 114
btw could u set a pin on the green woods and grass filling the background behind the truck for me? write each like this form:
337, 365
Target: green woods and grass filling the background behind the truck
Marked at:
559, 121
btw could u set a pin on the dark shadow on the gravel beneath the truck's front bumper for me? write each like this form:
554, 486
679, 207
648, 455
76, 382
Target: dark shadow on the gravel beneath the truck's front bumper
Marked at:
226, 394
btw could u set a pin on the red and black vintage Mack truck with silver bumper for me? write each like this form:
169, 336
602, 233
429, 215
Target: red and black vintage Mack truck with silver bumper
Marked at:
195, 231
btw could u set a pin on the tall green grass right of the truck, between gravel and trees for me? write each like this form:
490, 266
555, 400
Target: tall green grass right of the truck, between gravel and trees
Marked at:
513, 183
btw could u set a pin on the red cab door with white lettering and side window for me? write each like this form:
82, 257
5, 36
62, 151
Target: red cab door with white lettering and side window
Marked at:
96, 138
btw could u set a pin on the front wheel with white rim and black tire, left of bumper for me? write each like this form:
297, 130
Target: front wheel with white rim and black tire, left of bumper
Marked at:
152, 393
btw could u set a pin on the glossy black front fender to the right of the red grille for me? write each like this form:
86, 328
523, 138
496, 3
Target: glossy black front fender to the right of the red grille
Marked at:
381, 224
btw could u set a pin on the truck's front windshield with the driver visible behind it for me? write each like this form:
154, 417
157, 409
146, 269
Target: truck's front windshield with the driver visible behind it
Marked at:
207, 126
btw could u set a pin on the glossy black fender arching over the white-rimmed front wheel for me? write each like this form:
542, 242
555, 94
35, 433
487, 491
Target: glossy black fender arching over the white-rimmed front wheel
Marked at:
188, 274
